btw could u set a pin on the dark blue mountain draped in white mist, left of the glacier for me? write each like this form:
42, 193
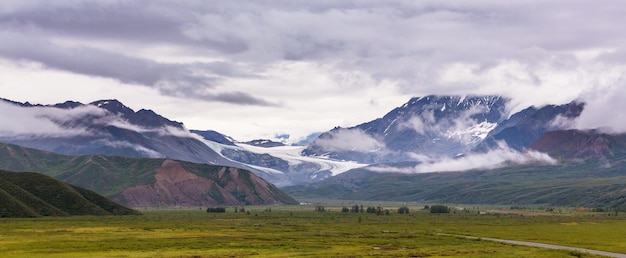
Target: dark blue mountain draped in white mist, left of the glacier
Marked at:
105, 127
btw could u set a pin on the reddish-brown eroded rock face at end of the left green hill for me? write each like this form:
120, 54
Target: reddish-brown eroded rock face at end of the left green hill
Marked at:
175, 186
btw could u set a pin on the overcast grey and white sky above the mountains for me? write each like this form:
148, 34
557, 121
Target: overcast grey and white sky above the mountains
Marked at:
262, 69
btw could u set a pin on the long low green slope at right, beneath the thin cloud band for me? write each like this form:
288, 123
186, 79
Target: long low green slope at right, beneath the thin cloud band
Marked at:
590, 183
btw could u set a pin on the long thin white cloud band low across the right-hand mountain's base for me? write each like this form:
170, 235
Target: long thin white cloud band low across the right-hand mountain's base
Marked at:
497, 158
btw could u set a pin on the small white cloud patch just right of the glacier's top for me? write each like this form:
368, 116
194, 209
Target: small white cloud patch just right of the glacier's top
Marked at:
349, 140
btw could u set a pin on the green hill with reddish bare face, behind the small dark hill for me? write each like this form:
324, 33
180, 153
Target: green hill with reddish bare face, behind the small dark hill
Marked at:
148, 182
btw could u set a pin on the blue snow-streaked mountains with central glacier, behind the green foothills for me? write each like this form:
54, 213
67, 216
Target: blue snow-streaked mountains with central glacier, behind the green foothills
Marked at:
423, 129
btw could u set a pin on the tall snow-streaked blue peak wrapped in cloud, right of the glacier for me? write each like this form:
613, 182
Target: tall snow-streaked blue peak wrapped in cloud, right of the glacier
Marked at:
430, 126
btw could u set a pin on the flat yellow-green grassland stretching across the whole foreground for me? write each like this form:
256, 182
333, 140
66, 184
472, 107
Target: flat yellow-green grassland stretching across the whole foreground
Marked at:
299, 231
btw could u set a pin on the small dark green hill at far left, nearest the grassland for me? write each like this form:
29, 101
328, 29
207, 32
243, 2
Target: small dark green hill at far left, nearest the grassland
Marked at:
27, 194
